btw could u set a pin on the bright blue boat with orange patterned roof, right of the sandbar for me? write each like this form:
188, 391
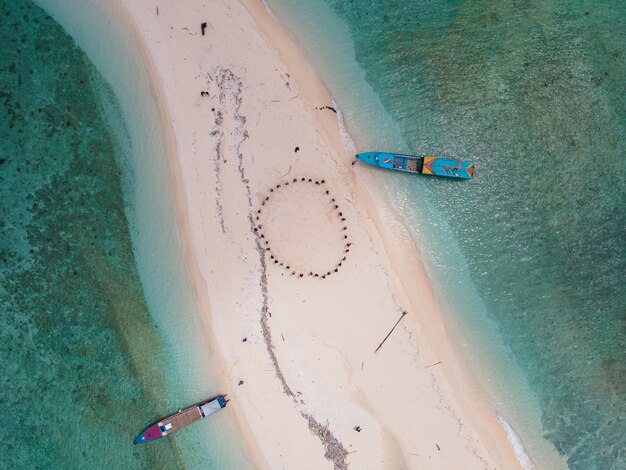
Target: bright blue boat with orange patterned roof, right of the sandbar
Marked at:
423, 164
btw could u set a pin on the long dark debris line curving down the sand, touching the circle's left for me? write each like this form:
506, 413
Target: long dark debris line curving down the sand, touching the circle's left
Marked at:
230, 87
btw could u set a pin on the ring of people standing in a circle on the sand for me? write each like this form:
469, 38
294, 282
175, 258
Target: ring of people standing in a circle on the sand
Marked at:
340, 217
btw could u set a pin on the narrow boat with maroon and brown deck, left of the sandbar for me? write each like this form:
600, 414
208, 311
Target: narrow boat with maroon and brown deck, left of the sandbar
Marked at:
182, 418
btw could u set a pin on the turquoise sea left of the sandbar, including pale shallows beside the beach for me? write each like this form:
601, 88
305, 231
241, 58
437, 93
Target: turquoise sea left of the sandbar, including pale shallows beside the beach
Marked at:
98, 336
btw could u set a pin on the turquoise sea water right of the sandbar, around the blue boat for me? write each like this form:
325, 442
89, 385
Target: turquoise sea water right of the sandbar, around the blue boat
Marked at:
531, 254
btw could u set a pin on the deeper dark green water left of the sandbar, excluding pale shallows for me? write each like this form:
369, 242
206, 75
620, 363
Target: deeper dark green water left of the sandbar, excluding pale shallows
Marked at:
81, 359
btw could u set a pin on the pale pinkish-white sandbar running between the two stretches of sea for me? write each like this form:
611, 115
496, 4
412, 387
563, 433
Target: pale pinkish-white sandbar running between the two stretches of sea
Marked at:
298, 281
